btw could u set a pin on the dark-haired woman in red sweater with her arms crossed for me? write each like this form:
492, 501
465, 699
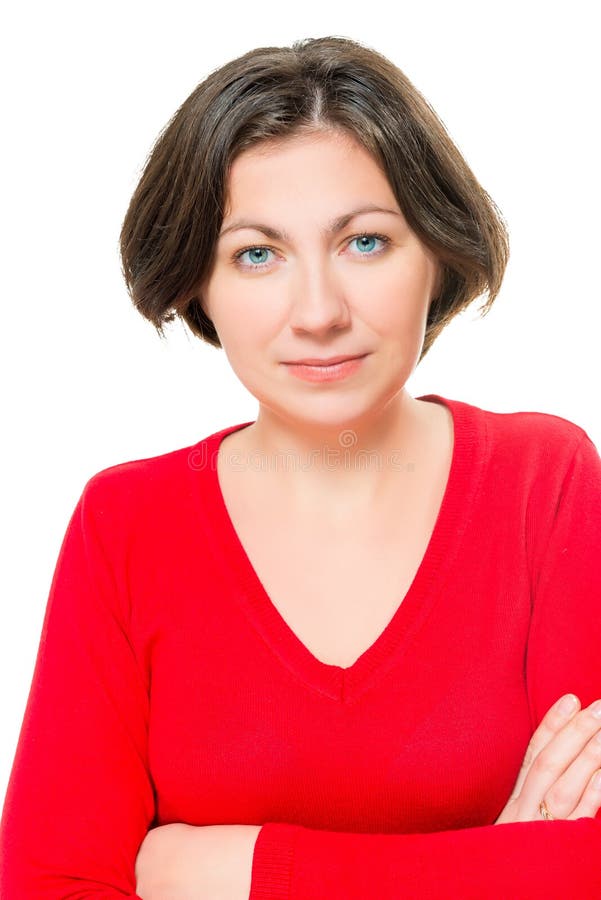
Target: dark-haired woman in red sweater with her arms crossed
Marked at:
349, 649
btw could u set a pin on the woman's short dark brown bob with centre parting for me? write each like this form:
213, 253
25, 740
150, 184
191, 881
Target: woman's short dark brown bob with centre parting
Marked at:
171, 227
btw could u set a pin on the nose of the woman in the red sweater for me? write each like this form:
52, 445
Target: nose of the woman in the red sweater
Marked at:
318, 303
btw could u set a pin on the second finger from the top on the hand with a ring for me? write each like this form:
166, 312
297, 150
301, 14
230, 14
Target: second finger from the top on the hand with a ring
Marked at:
558, 755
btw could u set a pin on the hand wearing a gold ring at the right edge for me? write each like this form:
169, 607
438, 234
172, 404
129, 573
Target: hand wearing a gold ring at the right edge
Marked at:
561, 766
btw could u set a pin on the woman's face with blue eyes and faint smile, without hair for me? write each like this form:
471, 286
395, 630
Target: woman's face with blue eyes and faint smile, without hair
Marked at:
289, 283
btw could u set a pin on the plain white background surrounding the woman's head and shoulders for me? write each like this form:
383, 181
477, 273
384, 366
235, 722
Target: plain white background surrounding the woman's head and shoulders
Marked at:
86, 381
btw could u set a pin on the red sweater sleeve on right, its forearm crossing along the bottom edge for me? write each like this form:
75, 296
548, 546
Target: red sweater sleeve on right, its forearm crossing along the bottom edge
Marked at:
531, 860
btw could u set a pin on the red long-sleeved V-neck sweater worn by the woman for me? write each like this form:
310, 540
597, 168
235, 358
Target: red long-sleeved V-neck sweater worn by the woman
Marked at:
168, 688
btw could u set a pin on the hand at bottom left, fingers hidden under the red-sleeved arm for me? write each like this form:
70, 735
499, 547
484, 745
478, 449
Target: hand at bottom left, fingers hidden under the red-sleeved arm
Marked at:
184, 862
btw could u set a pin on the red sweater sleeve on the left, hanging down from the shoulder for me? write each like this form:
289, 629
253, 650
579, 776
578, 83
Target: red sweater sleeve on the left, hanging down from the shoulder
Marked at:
79, 800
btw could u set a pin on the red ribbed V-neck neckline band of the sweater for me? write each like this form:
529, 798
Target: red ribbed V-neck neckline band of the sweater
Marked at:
346, 684
